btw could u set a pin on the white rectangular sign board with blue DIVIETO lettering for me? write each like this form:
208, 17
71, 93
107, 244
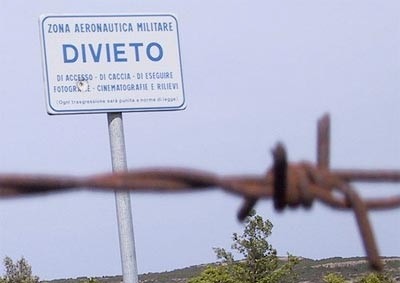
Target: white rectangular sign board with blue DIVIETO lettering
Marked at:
111, 63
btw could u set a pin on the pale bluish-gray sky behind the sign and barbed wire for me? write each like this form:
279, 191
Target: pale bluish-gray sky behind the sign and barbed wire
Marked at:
255, 72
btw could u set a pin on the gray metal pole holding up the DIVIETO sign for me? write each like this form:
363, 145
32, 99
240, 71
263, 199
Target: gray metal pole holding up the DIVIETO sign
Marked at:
122, 200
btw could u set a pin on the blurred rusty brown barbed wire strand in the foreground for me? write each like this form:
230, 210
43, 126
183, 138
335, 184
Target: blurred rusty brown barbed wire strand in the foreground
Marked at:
288, 184
